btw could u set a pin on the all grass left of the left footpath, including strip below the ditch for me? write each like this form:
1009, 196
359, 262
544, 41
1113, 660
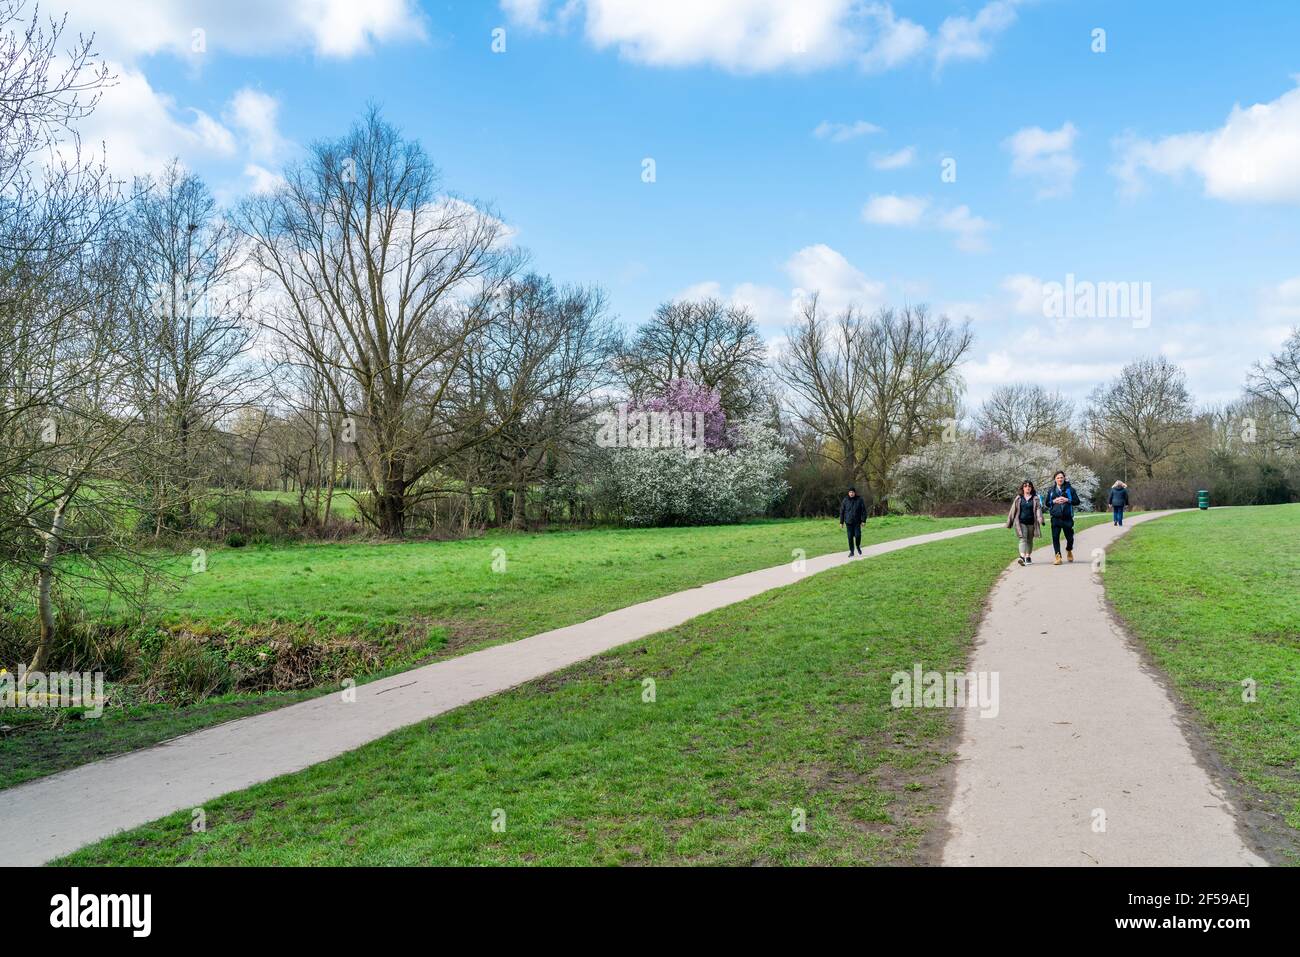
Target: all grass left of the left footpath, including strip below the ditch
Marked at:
549, 581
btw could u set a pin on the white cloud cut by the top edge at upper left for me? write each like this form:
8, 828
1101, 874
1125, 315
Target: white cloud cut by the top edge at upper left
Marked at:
330, 28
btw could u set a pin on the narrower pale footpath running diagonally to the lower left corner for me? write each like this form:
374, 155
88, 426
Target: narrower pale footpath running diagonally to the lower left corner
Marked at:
53, 817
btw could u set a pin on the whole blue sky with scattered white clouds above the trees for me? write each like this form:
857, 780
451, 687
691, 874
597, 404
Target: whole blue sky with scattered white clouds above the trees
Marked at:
798, 148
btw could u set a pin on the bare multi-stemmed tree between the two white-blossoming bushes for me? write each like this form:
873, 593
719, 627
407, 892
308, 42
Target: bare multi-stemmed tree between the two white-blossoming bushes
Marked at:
874, 389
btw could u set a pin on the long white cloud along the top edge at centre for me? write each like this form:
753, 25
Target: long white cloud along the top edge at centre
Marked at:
759, 36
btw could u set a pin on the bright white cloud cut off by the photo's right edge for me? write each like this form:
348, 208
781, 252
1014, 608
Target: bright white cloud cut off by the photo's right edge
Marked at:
1251, 159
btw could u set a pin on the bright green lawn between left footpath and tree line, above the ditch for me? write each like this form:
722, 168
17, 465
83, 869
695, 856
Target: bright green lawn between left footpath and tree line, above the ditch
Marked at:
548, 581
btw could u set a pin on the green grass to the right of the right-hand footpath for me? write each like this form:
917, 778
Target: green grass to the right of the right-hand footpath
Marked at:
1216, 599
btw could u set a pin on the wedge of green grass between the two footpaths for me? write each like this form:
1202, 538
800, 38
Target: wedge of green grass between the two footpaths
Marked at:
777, 704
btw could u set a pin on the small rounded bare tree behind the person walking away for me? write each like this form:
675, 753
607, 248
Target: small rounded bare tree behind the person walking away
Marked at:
1146, 414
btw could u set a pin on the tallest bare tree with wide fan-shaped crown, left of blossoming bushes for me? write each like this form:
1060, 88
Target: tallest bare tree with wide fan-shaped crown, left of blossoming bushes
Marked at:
383, 280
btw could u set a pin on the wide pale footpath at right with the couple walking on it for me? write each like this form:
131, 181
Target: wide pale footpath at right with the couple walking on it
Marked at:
1084, 730
